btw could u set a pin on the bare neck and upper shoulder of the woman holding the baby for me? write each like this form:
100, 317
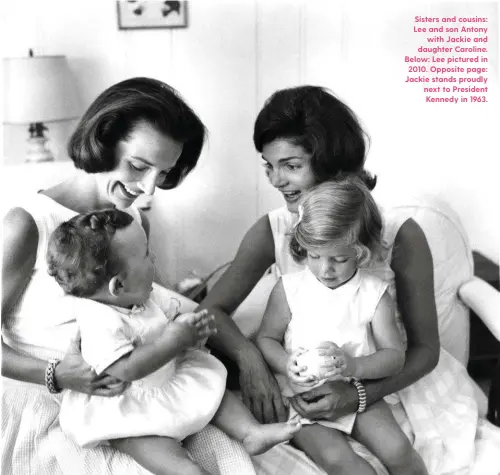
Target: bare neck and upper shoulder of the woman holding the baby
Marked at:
79, 192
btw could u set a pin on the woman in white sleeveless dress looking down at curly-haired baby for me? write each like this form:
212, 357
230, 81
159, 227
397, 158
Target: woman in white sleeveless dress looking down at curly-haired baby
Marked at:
138, 135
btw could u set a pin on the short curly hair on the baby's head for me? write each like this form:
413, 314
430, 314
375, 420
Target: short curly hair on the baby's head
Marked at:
79, 254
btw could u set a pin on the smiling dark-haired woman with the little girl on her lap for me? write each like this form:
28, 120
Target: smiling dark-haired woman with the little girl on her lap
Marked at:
306, 136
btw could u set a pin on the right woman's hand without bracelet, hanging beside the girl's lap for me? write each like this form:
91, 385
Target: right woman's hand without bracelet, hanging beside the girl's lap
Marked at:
260, 390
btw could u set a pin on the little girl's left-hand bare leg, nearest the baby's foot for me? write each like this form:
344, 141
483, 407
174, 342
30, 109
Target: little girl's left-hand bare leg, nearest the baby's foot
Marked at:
329, 449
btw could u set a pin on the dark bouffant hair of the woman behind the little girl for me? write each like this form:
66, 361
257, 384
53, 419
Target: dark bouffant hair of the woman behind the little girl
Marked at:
312, 117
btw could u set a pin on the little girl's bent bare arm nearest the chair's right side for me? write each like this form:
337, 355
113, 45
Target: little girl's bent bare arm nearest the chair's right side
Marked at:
386, 361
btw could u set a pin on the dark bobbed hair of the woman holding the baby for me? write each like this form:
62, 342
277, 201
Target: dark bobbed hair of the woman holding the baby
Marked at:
115, 113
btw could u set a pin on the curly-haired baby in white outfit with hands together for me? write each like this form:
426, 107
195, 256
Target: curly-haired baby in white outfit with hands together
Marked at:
101, 260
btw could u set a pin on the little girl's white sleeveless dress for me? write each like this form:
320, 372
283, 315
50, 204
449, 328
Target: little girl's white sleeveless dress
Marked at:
342, 316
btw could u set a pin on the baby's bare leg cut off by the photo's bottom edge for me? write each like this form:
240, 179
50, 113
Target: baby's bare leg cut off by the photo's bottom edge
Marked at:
159, 455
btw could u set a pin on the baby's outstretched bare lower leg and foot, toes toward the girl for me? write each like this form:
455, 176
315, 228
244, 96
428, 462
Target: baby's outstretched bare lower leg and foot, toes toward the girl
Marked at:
235, 419
